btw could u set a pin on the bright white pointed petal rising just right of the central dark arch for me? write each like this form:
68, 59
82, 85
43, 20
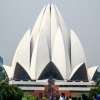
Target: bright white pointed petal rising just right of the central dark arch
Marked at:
58, 55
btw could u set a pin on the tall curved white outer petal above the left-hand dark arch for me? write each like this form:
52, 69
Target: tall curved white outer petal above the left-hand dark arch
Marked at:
22, 54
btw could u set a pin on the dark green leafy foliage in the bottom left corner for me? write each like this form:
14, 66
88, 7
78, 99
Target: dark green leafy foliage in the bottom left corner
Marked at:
9, 92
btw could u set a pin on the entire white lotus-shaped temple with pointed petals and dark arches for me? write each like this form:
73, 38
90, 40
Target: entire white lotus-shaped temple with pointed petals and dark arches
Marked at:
49, 51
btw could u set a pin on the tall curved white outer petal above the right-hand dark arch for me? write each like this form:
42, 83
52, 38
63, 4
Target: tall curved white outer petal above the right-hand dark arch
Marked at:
77, 52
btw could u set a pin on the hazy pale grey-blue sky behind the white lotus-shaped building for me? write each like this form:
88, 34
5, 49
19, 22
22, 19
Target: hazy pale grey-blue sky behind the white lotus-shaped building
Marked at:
83, 16
